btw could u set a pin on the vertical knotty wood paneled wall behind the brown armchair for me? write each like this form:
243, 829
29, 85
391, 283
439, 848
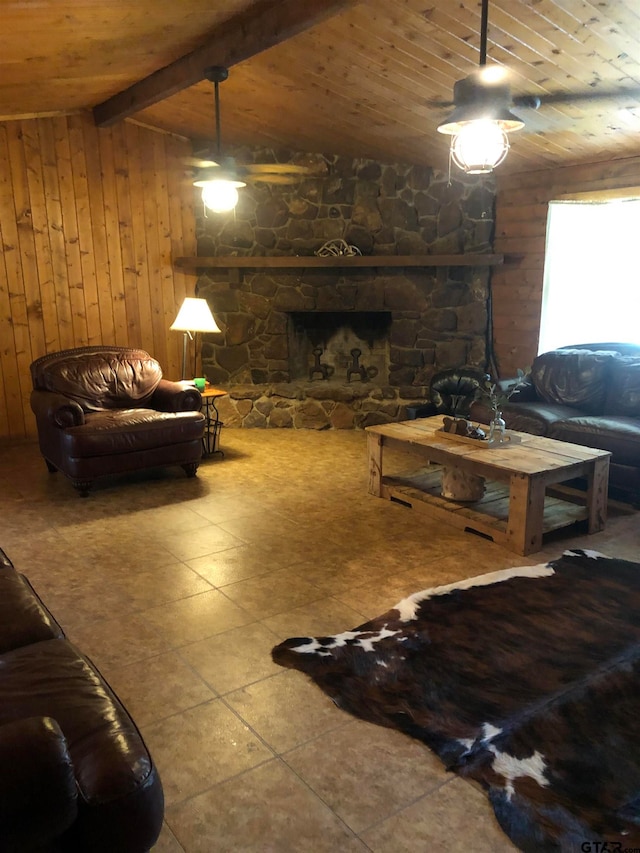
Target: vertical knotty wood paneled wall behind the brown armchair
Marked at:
89, 223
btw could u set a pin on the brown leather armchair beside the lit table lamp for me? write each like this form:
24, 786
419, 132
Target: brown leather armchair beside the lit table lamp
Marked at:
107, 410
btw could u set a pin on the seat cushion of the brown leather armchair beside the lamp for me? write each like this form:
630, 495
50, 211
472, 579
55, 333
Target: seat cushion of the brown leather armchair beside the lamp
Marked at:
129, 431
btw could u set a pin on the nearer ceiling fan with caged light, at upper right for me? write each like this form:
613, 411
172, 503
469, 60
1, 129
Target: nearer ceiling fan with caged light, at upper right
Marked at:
482, 106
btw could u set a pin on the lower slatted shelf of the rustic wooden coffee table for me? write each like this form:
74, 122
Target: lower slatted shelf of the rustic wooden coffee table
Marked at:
488, 516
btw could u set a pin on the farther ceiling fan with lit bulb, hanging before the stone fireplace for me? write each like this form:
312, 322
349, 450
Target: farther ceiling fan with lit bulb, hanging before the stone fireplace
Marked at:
215, 168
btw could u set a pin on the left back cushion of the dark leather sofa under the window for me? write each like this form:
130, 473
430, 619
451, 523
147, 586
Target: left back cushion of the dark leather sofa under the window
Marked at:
574, 377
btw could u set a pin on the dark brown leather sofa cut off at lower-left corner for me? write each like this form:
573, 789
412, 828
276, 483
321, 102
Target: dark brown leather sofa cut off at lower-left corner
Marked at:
75, 774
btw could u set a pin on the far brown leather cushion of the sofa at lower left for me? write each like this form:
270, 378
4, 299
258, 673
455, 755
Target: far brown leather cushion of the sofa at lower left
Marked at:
23, 617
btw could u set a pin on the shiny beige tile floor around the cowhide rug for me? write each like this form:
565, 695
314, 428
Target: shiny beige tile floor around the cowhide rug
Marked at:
178, 589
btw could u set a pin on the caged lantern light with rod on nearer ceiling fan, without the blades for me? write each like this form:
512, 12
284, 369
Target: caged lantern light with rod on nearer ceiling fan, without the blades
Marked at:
481, 120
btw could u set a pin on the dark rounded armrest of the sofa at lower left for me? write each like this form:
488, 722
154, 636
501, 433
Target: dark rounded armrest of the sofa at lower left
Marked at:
38, 796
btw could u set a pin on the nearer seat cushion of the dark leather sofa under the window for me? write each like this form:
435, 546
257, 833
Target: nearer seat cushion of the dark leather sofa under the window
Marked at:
619, 435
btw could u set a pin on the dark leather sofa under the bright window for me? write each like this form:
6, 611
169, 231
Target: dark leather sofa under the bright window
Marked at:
587, 394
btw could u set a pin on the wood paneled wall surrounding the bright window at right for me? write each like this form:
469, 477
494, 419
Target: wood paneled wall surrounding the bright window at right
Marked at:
521, 220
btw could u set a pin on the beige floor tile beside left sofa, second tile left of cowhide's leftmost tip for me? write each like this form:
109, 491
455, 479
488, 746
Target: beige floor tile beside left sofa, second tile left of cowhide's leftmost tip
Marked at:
158, 687
